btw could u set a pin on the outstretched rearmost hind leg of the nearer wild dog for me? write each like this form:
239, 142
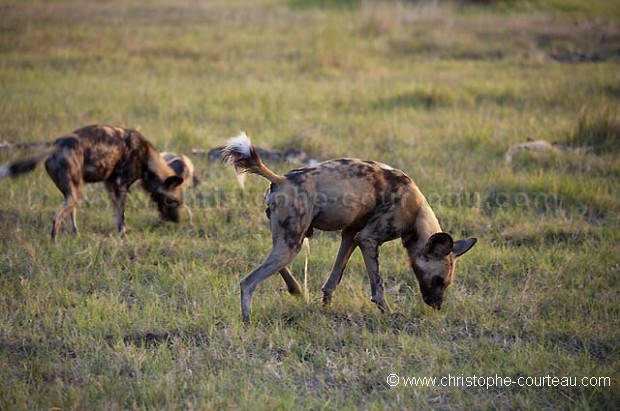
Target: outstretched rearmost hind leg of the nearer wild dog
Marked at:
281, 255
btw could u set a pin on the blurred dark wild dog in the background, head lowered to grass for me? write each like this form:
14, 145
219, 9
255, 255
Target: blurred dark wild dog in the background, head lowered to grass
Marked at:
113, 155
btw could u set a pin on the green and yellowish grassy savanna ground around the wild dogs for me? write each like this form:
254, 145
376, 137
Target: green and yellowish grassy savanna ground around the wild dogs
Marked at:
438, 89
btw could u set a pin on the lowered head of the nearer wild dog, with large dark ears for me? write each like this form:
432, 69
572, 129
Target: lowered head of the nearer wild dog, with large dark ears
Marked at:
434, 266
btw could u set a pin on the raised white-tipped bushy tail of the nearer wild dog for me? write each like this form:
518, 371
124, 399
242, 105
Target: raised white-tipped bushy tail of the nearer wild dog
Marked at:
241, 153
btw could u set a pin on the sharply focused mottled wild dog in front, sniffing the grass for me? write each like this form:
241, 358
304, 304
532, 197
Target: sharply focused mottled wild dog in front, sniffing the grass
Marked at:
369, 202
